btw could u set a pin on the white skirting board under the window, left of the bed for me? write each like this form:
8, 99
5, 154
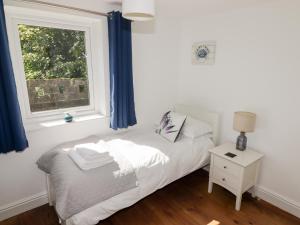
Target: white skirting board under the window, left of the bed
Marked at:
23, 205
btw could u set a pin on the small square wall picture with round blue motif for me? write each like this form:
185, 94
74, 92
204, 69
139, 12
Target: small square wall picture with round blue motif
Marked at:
204, 53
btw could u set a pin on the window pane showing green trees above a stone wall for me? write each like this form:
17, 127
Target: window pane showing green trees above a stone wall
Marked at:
55, 67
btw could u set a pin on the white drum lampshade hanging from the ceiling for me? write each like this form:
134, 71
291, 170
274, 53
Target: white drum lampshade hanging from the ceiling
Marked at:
138, 10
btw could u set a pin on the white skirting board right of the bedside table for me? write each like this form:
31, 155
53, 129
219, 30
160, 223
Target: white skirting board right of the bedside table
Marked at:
279, 201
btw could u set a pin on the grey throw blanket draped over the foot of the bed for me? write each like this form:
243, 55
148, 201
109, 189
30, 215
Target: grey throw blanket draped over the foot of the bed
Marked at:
77, 190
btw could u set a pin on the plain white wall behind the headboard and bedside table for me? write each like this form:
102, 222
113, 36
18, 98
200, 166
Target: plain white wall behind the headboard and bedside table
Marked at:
256, 69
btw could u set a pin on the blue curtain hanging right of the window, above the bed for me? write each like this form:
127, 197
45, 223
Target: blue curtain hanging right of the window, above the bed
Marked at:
122, 111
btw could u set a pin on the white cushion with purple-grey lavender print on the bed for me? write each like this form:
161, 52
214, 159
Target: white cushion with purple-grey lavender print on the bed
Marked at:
170, 125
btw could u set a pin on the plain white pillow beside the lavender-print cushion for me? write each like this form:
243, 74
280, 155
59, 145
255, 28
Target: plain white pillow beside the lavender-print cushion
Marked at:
194, 128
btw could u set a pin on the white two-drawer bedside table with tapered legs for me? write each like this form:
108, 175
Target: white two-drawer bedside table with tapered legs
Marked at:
237, 174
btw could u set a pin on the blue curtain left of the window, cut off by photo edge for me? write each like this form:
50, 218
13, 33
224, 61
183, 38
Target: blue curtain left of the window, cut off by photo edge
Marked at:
12, 134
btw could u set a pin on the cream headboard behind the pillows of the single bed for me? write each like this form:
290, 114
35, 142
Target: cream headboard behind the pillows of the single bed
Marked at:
196, 112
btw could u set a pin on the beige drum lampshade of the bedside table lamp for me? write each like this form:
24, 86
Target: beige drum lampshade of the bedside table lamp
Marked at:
244, 121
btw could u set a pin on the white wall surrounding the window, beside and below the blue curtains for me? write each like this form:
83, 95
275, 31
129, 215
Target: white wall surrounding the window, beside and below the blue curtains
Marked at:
155, 85
